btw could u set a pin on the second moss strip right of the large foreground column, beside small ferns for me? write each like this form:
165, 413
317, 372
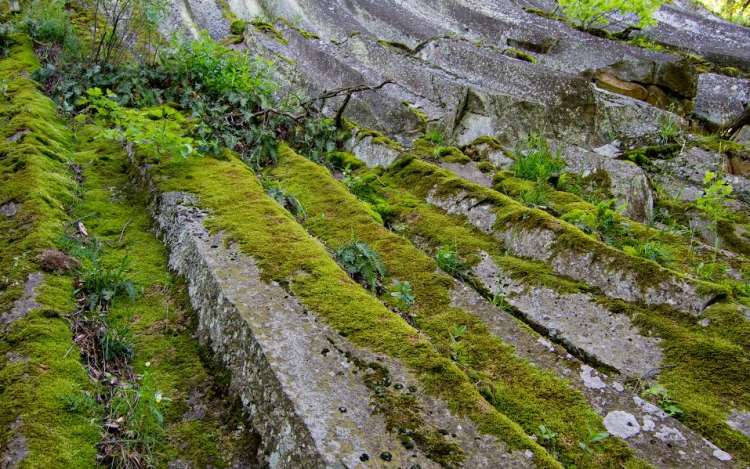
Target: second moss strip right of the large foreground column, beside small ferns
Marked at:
523, 393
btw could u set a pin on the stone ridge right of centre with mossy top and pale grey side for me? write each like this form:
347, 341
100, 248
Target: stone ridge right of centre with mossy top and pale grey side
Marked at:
534, 233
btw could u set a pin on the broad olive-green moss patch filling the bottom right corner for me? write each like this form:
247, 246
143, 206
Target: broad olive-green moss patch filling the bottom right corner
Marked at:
712, 373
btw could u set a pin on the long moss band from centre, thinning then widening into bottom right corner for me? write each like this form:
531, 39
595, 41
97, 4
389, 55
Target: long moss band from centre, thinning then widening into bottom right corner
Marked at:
706, 396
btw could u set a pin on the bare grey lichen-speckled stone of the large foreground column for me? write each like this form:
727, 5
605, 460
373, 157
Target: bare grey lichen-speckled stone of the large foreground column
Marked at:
308, 403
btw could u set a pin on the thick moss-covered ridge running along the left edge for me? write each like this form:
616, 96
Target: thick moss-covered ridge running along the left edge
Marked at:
39, 375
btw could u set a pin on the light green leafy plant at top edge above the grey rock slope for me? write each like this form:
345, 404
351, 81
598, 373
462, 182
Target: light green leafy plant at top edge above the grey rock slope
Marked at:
590, 13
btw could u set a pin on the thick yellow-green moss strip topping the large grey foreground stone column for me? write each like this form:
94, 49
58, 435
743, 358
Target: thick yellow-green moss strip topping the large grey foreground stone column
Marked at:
286, 253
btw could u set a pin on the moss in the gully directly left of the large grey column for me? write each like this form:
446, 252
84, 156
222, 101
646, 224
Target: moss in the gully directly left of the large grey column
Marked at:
161, 319
